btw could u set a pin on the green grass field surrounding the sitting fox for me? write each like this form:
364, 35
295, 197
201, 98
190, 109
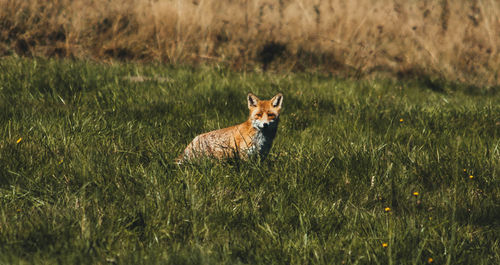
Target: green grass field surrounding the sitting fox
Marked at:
93, 181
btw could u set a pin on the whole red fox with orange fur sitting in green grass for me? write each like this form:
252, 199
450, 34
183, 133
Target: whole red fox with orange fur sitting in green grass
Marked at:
253, 137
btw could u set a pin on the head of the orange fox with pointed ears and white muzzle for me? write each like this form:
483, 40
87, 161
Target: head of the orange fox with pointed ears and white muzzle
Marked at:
264, 114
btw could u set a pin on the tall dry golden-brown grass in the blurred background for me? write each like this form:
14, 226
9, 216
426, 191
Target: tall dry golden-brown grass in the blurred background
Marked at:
457, 40
